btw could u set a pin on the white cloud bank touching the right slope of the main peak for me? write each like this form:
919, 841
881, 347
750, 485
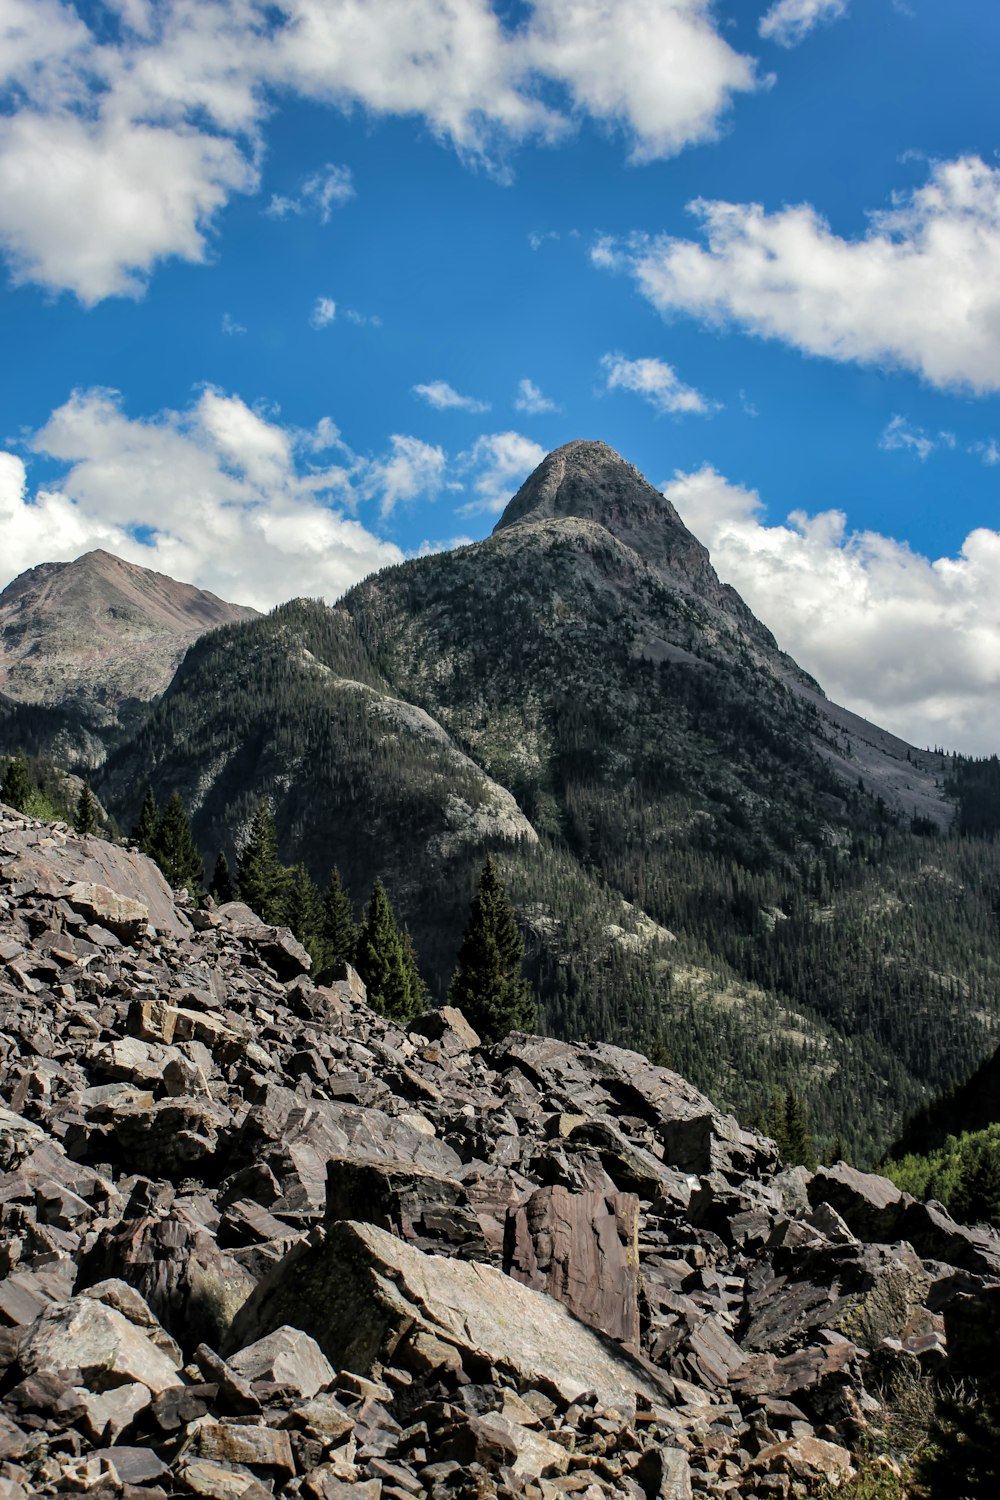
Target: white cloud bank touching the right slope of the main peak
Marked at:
908, 641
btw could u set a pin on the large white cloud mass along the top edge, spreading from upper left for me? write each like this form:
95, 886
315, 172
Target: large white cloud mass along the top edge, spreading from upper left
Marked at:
121, 146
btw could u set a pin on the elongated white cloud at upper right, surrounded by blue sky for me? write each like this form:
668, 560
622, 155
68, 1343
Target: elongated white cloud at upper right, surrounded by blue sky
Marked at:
921, 290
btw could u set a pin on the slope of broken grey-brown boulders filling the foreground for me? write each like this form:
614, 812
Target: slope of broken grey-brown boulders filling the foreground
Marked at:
257, 1241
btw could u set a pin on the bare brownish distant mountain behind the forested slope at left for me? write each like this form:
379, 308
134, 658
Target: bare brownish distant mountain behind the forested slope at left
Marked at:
83, 644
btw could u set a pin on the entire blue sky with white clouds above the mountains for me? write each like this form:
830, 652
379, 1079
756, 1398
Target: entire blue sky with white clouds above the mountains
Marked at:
296, 290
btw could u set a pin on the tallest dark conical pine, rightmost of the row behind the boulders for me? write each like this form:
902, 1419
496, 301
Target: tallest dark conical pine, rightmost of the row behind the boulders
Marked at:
488, 985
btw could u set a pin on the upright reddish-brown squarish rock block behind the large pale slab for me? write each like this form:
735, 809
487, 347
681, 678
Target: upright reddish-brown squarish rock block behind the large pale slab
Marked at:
582, 1249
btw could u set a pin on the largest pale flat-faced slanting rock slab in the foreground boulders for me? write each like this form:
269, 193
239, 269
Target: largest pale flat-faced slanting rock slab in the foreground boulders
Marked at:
364, 1294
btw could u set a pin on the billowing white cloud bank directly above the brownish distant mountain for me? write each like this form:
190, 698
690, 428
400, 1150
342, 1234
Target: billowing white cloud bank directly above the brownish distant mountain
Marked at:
230, 499
